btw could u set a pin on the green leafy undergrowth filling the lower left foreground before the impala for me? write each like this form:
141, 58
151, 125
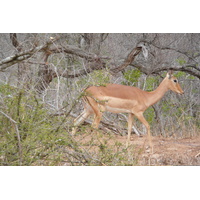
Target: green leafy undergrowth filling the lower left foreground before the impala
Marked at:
30, 135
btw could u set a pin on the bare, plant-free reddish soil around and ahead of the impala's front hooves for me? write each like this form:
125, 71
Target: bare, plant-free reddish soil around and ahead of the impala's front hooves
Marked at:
166, 151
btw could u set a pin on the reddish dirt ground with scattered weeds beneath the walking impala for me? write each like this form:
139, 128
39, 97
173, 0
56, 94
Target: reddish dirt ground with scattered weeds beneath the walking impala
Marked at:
166, 151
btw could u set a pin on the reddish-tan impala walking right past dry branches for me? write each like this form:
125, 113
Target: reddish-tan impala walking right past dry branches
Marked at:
124, 99
